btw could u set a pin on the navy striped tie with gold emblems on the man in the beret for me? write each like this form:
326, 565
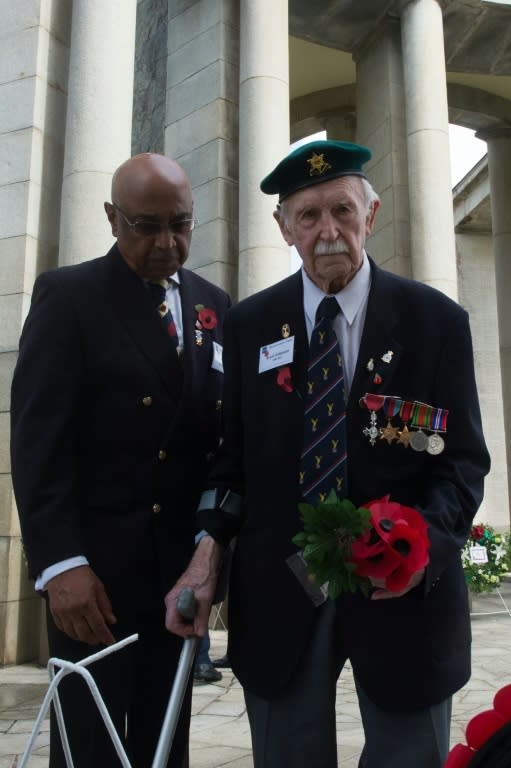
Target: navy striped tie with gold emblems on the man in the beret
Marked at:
323, 463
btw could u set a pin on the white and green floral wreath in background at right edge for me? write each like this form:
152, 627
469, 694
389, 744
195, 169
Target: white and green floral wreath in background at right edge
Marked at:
486, 558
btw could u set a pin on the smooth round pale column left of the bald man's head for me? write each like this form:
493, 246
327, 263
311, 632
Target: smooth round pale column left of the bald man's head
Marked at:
98, 122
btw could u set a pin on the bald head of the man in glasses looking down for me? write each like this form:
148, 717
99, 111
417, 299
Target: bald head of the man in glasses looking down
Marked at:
153, 190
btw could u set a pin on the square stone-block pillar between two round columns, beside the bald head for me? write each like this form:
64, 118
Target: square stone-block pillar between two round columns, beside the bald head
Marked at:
201, 129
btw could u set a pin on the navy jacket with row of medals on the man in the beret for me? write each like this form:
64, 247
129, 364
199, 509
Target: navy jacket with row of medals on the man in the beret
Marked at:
407, 652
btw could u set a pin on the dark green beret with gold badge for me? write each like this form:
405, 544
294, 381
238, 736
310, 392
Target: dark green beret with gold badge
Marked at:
314, 163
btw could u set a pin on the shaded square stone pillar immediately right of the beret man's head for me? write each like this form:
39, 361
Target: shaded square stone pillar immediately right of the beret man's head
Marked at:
381, 126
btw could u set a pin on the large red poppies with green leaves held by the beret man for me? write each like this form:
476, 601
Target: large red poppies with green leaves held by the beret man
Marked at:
344, 546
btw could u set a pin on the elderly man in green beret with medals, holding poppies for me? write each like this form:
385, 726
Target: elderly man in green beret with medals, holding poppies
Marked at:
406, 422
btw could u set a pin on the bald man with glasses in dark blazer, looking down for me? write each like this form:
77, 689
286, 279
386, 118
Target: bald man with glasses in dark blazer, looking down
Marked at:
116, 404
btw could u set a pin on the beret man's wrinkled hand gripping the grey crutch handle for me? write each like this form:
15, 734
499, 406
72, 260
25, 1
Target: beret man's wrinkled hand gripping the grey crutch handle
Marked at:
201, 576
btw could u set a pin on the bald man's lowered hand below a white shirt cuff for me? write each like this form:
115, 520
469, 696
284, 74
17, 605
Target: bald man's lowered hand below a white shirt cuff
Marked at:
80, 606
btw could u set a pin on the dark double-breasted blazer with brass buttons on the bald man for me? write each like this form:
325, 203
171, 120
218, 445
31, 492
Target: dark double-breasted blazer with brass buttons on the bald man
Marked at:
110, 432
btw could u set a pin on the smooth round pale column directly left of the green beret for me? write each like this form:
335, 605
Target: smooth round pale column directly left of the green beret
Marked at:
264, 139
